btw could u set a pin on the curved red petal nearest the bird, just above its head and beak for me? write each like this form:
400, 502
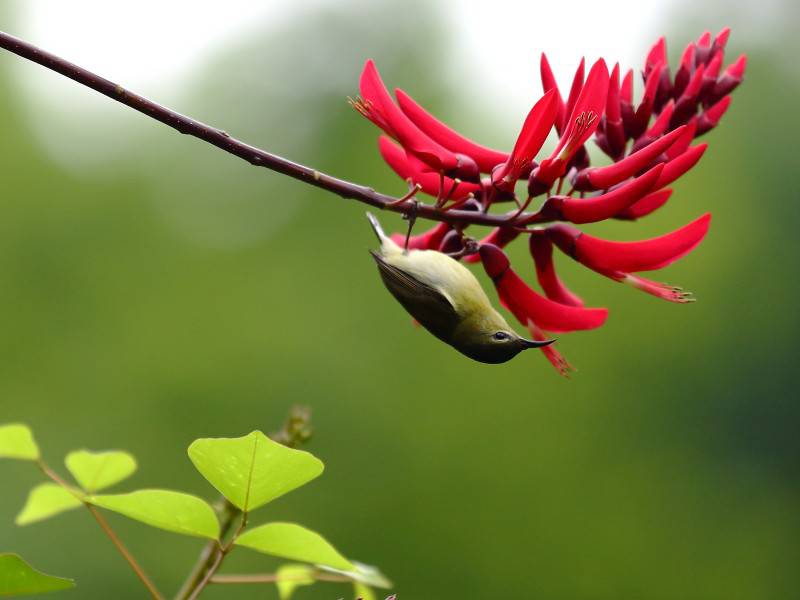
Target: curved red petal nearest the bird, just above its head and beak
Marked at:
527, 305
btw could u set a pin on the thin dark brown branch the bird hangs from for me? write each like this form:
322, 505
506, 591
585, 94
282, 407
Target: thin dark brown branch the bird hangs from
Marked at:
251, 154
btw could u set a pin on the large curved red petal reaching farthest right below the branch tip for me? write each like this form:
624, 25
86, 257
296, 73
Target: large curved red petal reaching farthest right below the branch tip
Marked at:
605, 256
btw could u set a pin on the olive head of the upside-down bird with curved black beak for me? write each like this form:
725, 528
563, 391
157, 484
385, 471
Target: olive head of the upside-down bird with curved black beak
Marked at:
487, 338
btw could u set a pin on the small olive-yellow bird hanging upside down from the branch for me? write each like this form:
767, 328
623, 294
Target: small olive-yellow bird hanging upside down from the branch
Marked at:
446, 299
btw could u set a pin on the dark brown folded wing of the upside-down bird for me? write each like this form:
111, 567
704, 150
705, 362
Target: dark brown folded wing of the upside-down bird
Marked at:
427, 305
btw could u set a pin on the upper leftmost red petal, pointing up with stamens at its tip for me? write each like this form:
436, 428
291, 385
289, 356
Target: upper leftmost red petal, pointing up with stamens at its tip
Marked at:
393, 121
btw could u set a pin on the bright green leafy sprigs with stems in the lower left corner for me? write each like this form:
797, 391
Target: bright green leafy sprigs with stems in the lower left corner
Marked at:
250, 471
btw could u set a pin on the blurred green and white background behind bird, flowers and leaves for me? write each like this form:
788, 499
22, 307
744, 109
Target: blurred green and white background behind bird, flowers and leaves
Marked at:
154, 290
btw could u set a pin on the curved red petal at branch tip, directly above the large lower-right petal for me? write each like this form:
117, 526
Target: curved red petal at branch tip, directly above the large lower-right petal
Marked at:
604, 206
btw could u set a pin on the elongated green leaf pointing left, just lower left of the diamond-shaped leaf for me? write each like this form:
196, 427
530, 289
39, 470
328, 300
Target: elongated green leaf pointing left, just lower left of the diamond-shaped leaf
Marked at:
173, 511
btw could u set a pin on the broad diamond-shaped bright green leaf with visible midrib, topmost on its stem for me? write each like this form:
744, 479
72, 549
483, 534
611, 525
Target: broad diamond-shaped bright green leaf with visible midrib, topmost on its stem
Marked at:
252, 470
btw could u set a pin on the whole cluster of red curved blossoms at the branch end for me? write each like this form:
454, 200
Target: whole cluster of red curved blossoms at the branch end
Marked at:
649, 144
